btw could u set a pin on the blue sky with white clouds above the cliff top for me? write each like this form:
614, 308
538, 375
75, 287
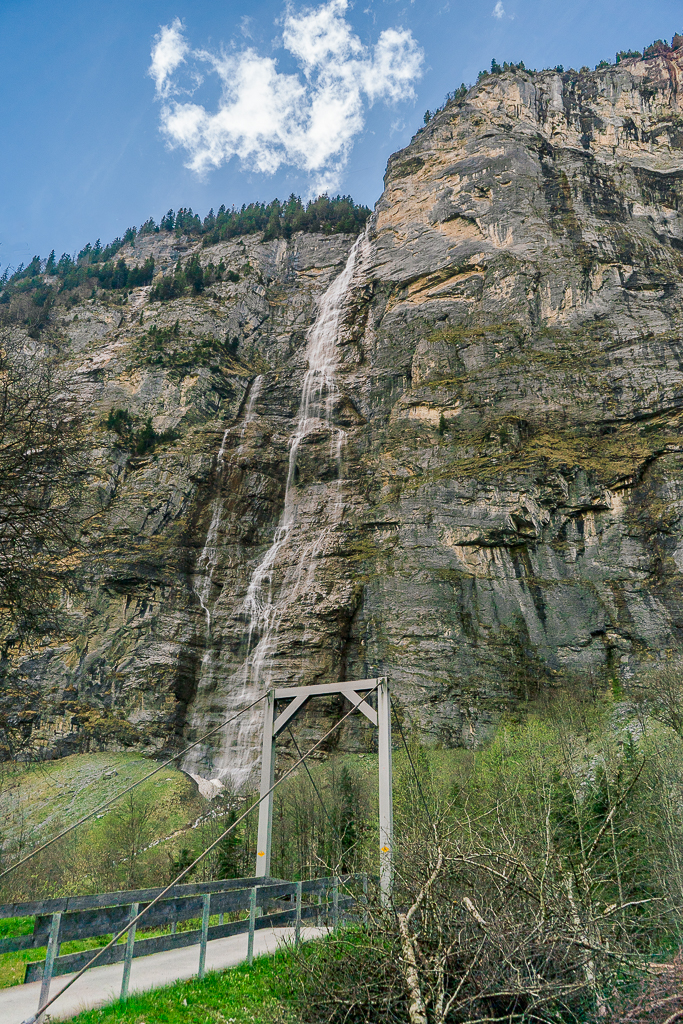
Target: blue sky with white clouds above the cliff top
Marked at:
88, 133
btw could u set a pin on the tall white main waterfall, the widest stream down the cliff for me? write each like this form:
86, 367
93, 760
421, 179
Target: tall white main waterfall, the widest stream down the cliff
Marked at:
263, 608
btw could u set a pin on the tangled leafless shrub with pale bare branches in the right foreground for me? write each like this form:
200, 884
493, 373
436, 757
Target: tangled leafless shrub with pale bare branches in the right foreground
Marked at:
479, 932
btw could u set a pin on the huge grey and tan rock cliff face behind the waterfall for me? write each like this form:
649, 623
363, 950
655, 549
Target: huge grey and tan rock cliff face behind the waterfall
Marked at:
490, 498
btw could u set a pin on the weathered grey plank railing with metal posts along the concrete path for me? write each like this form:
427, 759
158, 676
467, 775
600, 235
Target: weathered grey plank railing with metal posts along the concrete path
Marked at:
71, 918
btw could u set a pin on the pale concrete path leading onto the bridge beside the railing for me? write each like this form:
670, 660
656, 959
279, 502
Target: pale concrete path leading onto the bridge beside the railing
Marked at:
103, 985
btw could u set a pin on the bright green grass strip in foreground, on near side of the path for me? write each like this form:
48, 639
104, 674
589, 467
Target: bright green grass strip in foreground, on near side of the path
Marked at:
257, 995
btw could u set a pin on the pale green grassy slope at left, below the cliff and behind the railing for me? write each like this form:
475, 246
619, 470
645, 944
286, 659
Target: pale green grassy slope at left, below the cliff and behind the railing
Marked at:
38, 801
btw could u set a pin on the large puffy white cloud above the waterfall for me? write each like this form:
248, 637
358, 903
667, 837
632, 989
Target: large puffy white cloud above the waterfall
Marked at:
268, 119
